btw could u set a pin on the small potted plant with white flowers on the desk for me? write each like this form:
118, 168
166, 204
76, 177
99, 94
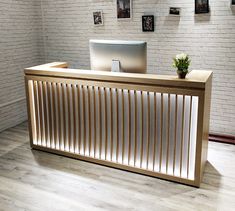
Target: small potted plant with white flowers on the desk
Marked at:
181, 62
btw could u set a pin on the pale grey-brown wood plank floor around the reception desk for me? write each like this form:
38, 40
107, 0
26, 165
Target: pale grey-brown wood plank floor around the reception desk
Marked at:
34, 180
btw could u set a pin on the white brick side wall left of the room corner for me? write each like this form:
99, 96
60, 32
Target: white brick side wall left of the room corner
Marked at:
20, 47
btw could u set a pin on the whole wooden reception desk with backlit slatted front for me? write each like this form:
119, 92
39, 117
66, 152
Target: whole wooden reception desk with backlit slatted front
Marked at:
150, 124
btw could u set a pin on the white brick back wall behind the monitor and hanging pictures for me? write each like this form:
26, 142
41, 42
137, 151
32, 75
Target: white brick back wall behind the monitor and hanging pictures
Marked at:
209, 39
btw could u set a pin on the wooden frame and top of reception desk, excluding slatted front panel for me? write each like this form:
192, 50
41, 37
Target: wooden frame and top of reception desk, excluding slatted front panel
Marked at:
198, 83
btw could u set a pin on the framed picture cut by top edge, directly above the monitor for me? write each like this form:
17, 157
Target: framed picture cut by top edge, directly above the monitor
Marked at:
124, 9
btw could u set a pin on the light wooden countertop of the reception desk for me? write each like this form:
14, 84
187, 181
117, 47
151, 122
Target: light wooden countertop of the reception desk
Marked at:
195, 79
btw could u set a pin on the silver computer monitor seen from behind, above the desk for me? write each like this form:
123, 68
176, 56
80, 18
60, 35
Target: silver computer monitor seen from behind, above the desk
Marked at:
117, 55
